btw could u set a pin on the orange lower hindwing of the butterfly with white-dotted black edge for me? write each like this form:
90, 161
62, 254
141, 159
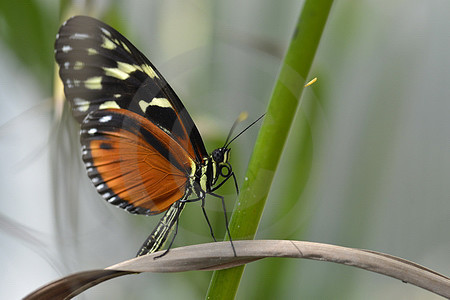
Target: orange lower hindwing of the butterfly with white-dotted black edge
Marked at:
133, 163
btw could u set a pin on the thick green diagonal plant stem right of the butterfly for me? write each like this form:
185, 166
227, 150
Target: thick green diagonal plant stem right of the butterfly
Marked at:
272, 137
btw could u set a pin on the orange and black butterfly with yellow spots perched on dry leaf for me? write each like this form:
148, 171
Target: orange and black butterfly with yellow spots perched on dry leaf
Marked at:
141, 149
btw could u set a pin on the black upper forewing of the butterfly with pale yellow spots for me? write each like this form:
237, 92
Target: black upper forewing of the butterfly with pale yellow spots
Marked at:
101, 69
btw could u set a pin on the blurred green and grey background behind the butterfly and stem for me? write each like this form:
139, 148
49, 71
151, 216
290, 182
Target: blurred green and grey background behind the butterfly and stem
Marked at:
367, 163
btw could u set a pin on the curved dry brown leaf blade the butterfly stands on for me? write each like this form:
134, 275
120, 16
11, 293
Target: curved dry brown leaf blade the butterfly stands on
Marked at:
216, 256
